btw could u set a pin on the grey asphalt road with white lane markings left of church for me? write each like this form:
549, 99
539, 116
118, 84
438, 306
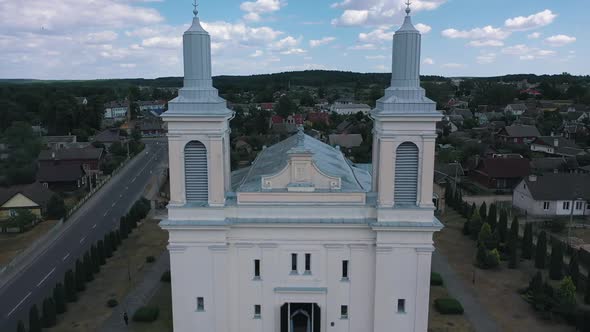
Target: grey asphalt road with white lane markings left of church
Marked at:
97, 217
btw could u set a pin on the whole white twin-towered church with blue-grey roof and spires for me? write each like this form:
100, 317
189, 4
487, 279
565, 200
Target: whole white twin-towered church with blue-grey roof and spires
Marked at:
302, 240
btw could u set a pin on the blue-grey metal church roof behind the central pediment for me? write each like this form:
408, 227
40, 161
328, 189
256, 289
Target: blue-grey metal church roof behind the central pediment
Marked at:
329, 160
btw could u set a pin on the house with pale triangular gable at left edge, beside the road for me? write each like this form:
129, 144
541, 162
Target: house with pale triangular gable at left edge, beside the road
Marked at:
32, 197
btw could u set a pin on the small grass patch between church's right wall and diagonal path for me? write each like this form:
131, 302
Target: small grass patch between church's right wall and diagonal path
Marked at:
445, 323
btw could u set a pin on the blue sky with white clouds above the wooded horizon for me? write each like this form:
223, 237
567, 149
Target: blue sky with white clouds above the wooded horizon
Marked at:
99, 39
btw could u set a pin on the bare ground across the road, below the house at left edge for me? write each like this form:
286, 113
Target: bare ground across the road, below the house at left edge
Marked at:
12, 244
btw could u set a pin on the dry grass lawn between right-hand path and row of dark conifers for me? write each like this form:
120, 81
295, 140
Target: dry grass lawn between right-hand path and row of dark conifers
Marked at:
497, 289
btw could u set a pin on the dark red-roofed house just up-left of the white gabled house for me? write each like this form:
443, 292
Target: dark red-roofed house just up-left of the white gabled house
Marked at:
501, 173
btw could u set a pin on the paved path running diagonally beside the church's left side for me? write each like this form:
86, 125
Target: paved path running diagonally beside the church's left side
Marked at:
139, 296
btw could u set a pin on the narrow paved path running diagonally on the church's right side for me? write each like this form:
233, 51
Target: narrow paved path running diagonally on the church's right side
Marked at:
481, 320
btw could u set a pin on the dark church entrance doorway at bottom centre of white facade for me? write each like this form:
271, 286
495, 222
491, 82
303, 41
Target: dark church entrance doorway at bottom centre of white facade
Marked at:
300, 317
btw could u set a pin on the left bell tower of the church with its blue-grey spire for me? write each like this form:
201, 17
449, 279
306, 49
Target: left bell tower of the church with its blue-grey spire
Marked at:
198, 129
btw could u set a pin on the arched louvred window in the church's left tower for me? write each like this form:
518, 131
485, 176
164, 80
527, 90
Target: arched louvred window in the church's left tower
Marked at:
195, 172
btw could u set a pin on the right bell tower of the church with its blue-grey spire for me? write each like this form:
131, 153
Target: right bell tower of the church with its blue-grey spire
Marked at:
405, 129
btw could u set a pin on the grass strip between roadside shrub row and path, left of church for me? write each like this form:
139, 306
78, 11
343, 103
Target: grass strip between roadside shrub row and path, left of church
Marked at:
112, 282
